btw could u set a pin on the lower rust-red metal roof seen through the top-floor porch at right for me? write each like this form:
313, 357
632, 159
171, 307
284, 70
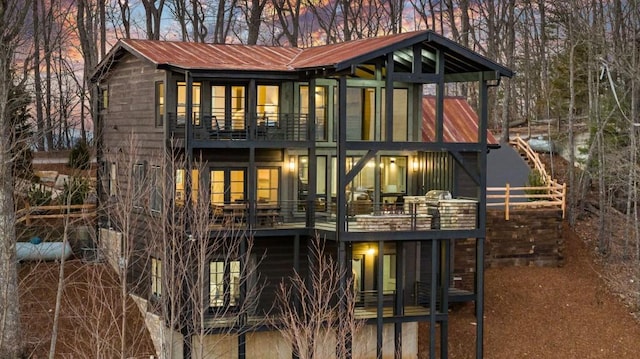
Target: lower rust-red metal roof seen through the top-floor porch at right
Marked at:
460, 121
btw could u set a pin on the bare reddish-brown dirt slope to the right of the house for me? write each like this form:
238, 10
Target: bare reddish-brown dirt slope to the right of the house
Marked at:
565, 312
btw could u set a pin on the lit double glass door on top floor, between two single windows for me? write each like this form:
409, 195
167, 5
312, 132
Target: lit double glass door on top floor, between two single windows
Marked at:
228, 107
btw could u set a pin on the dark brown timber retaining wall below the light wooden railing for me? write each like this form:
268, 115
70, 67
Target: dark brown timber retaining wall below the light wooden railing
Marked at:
531, 237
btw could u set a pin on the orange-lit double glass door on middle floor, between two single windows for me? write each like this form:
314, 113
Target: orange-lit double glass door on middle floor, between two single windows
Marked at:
227, 186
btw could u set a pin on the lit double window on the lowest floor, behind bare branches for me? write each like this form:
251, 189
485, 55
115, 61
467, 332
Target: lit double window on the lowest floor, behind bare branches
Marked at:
224, 283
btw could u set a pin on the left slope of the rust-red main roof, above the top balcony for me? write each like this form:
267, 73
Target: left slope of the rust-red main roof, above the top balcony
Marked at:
200, 56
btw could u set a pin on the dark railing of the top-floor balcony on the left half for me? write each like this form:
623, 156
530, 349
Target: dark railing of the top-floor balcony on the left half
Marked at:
282, 127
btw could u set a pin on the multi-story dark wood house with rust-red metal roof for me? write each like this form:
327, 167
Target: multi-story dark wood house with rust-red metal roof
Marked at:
327, 141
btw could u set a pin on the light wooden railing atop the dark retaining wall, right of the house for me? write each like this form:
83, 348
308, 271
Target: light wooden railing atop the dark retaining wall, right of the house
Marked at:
552, 194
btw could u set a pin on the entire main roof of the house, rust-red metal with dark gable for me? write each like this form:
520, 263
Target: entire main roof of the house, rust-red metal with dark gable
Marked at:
335, 57
